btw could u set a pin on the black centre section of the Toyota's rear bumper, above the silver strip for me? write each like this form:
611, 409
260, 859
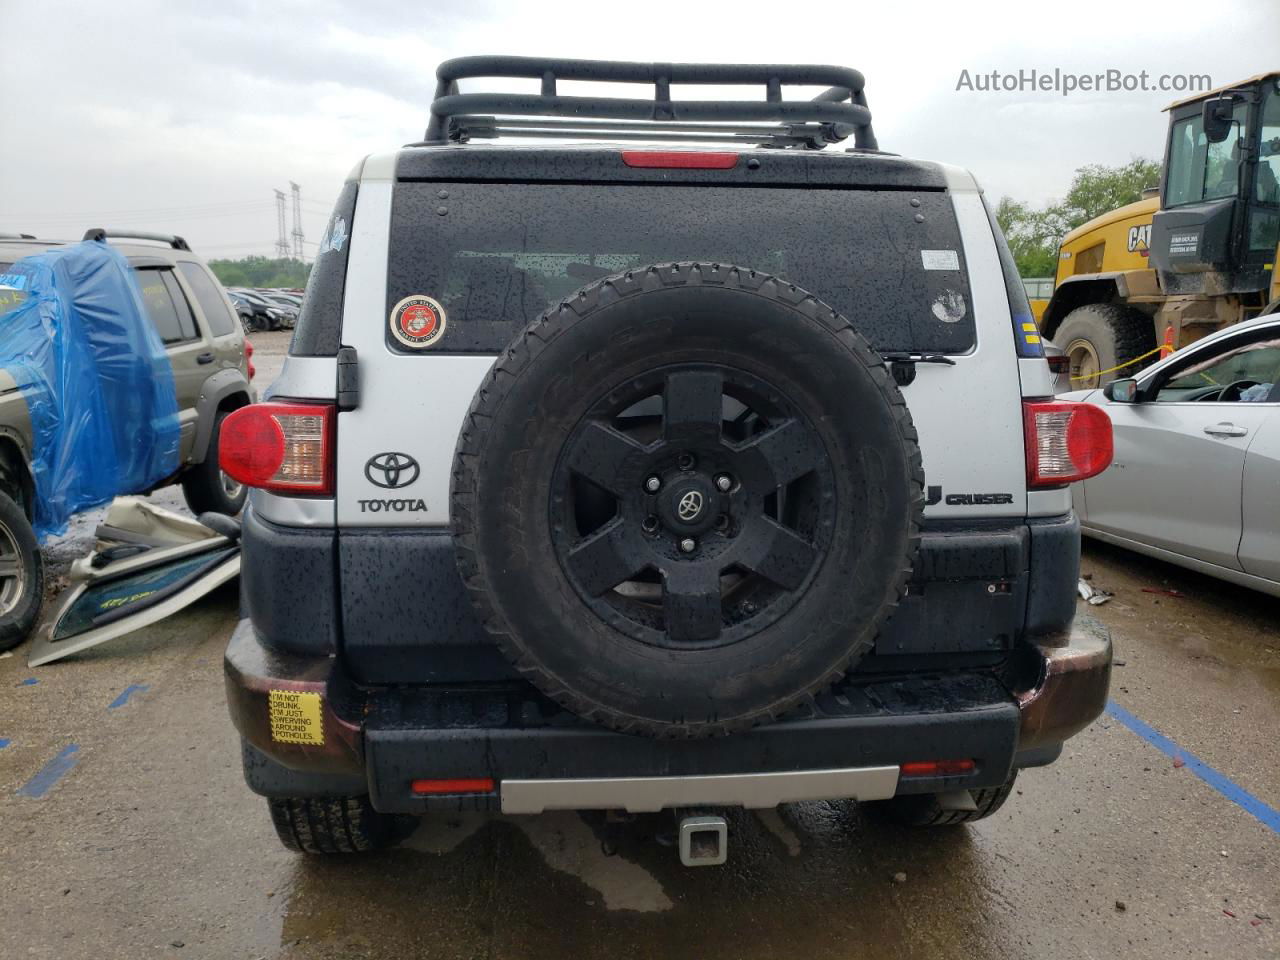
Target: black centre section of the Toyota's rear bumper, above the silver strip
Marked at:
883, 724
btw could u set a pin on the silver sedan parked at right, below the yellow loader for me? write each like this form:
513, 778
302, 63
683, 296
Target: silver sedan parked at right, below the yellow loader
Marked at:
1196, 477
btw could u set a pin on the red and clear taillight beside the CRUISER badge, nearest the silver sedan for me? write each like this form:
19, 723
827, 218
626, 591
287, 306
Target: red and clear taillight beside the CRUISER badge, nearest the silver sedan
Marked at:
1066, 442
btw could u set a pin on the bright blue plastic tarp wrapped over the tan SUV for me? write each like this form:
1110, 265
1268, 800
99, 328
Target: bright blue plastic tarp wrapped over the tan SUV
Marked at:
97, 380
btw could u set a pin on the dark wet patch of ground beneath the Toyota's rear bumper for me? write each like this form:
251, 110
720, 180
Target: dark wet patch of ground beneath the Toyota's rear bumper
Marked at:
812, 880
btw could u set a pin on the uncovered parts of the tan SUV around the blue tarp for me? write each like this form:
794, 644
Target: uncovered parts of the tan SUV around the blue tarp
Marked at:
212, 373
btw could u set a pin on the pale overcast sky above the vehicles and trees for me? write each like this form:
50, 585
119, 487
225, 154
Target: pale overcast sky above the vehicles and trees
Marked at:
184, 117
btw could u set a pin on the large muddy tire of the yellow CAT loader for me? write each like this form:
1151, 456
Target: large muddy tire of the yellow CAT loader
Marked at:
1100, 337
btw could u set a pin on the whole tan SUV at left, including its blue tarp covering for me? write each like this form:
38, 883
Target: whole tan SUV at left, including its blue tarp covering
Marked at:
118, 363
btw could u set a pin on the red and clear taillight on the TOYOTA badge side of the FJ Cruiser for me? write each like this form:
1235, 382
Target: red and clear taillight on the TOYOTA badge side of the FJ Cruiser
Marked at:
282, 447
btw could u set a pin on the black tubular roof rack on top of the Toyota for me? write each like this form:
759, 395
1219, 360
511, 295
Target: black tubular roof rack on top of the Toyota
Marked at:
835, 115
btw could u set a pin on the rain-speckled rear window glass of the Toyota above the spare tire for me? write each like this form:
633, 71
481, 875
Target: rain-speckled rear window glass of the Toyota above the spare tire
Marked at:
500, 254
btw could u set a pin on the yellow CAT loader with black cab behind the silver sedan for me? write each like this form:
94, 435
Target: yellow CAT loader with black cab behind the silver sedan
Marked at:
1169, 269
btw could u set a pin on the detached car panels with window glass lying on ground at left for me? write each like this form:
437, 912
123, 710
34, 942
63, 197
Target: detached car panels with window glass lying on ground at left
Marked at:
129, 583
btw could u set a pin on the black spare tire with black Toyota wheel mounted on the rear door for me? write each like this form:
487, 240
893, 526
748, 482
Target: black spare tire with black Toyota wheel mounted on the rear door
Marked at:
687, 499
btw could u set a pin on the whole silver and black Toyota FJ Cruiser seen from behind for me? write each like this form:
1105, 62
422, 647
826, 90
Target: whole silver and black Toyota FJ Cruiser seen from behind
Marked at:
687, 554
